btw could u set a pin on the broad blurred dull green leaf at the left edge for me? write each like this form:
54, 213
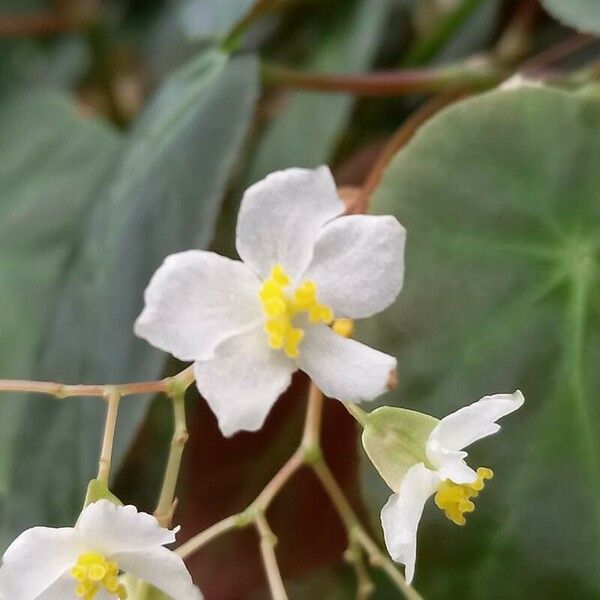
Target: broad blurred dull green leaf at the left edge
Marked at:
52, 161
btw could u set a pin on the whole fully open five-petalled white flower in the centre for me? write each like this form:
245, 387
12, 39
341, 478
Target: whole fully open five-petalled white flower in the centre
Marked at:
249, 325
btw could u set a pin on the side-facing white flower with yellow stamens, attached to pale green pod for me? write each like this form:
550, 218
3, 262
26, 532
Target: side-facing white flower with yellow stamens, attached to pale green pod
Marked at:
447, 475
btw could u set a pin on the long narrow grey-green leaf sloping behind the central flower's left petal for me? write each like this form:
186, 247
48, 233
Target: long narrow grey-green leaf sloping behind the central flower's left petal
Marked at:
164, 197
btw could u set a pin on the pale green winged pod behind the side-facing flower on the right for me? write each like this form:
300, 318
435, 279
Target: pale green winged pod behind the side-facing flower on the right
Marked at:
395, 439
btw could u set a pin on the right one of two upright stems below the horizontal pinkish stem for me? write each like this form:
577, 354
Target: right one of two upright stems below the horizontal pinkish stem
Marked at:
167, 502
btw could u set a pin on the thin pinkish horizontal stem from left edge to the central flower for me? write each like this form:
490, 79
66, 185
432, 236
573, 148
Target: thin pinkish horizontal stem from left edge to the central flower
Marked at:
62, 390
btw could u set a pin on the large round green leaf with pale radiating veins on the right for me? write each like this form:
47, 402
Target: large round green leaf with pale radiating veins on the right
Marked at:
501, 199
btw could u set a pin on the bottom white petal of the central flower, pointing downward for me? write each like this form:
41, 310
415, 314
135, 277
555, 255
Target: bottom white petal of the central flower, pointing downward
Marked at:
243, 381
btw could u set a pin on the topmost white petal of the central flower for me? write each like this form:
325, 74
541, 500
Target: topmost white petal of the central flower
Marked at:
281, 216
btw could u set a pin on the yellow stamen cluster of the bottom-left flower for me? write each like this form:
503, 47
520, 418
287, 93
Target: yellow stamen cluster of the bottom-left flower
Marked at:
92, 572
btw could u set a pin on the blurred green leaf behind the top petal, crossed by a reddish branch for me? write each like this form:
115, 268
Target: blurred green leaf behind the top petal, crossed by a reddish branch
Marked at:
306, 131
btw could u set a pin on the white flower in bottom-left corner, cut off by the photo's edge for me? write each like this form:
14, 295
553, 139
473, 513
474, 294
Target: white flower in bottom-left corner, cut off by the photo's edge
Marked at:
83, 562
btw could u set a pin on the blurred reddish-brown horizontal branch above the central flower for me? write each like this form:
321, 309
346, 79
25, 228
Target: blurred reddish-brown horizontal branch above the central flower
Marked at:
476, 76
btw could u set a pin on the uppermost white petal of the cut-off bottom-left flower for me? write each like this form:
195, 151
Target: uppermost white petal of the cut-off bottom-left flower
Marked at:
108, 528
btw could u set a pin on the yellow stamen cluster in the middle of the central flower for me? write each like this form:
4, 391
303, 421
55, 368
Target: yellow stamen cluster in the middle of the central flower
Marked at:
280, 308
